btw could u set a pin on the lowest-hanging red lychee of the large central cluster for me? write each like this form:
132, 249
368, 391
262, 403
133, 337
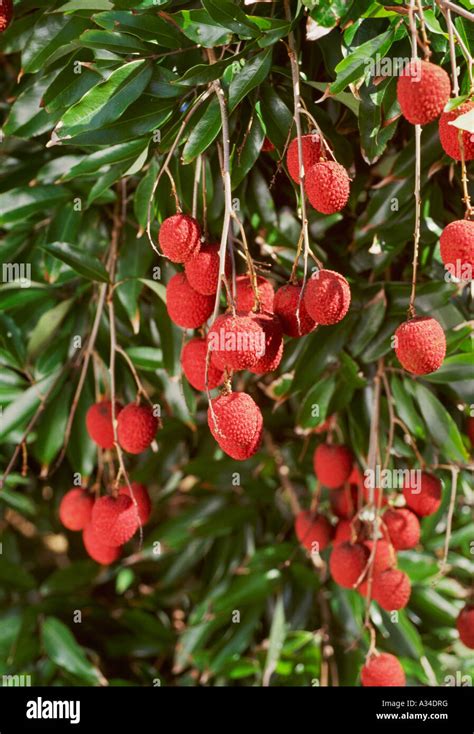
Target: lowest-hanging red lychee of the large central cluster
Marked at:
236, 423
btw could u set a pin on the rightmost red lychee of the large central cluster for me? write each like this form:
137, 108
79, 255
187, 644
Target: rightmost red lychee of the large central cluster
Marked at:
327, 297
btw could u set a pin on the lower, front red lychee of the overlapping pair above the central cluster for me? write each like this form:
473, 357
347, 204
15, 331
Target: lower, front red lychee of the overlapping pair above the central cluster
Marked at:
327, 186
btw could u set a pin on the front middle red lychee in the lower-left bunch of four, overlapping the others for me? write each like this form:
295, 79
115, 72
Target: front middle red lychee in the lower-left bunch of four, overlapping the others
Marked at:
114, 519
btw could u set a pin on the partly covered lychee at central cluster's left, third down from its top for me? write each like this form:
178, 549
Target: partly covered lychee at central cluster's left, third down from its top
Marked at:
186, 307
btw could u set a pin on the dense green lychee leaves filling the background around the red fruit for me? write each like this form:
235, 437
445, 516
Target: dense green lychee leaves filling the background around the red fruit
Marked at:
168, 617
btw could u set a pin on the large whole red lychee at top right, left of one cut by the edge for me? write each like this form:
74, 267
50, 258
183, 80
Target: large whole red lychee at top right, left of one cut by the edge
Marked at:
423, 90
